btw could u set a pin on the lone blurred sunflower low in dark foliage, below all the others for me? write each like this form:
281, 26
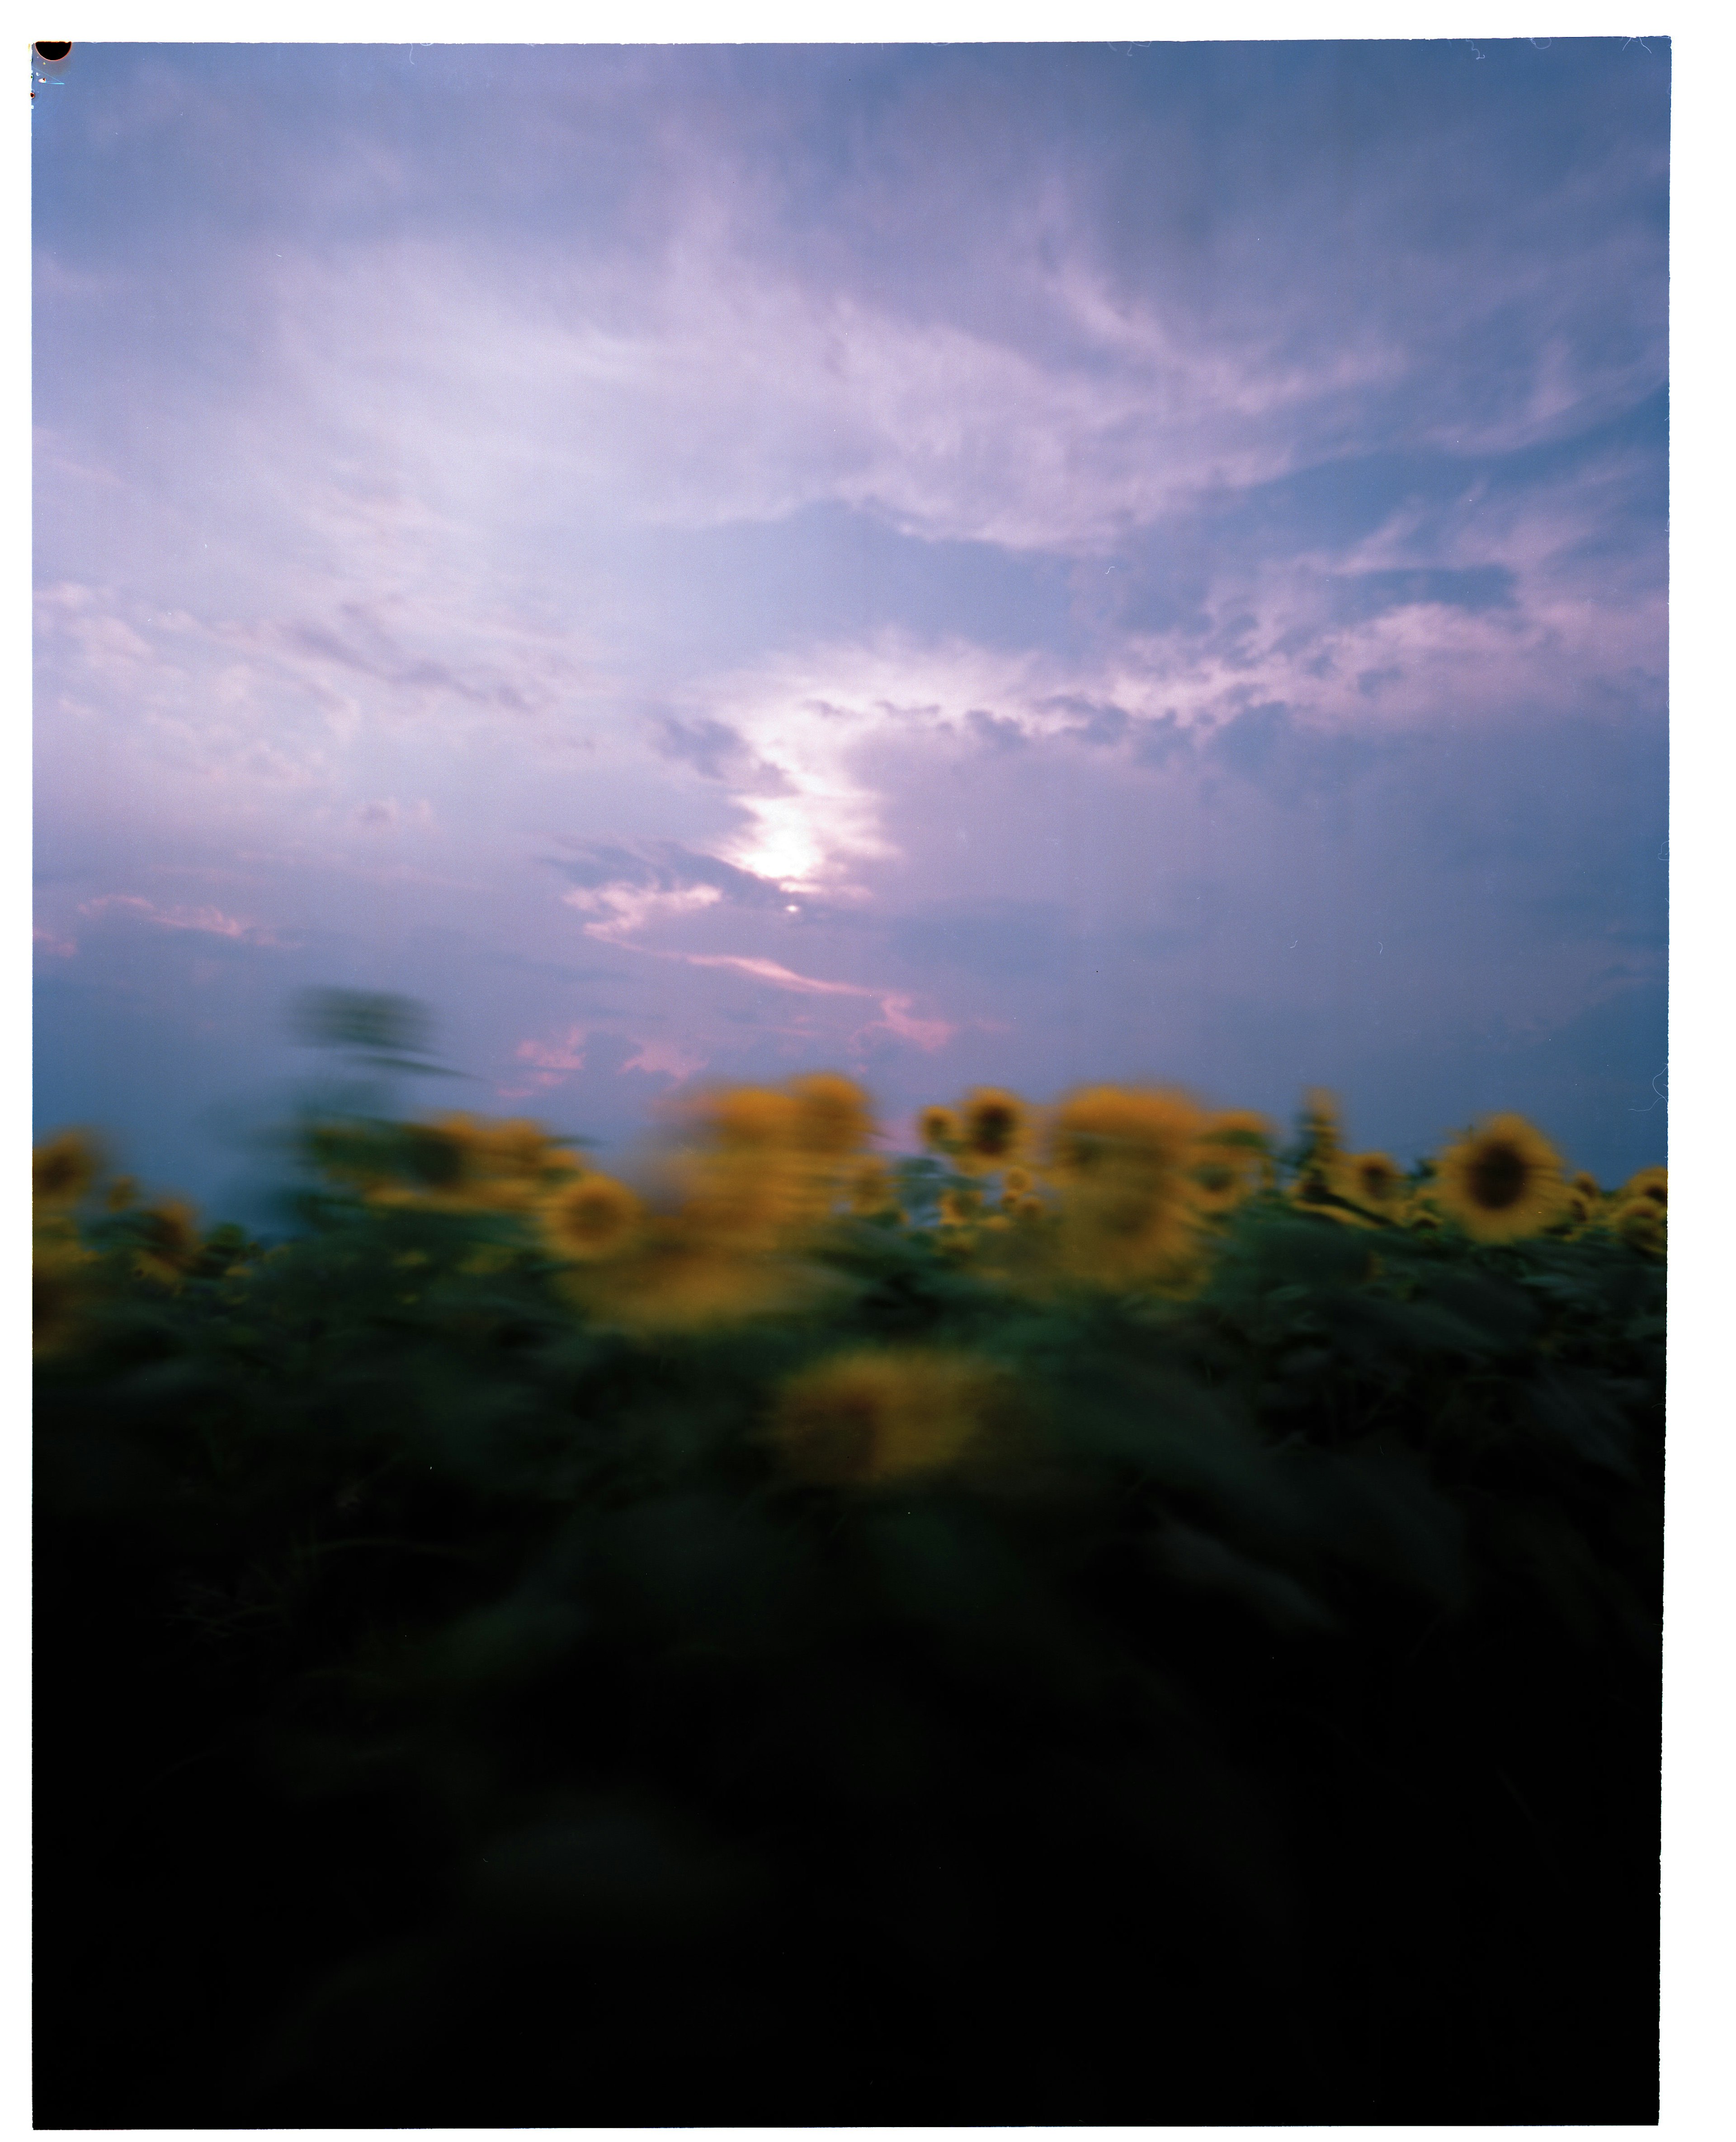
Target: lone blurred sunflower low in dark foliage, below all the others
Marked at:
870, 1417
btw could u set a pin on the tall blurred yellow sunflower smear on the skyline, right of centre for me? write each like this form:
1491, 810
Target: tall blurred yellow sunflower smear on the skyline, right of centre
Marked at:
1123, 1160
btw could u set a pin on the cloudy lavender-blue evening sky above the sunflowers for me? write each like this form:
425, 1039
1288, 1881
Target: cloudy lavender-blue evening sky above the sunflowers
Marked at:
962, 564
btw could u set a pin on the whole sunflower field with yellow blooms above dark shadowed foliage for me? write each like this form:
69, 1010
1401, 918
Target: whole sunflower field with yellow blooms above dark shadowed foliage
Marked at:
1125, 1616
